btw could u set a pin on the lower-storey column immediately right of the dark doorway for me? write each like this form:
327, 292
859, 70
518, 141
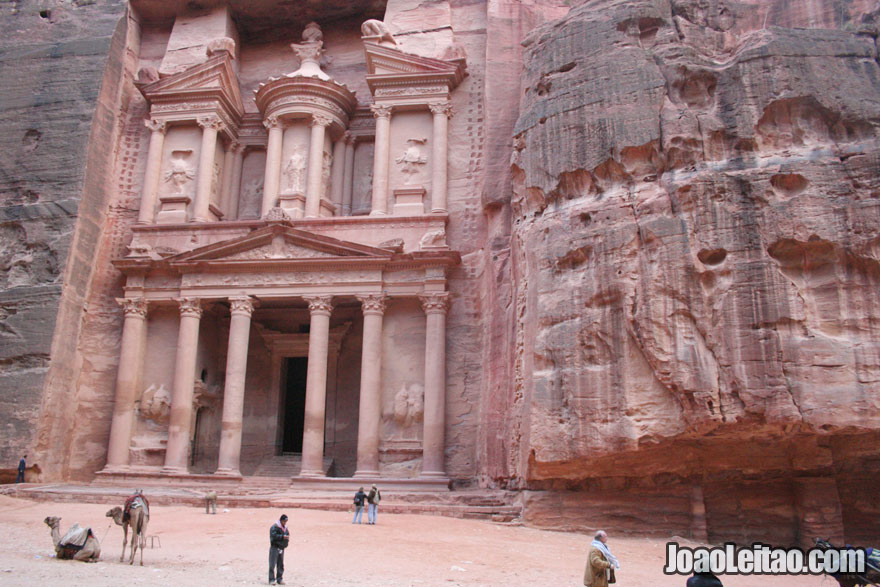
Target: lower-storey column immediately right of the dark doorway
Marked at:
320, 308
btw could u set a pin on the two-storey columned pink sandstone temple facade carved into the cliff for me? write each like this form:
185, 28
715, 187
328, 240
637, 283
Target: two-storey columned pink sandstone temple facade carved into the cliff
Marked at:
286, 282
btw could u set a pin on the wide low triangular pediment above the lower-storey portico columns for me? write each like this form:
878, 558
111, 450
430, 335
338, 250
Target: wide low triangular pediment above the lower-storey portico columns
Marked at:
280, 242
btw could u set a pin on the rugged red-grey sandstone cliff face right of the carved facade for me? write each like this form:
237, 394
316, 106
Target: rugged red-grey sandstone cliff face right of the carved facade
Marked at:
696, 260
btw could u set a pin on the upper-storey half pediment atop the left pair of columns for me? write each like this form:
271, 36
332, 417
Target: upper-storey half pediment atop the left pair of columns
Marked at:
216, 75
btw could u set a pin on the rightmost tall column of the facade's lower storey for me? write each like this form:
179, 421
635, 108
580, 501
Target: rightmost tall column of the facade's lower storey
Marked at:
433, 440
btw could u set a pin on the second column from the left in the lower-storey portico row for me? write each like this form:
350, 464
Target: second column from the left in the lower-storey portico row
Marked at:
177, 449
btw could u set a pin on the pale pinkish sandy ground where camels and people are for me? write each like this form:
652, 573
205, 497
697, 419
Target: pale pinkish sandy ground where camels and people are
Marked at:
231, 548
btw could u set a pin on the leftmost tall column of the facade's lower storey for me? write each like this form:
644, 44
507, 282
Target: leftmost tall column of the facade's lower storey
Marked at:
127, 381
